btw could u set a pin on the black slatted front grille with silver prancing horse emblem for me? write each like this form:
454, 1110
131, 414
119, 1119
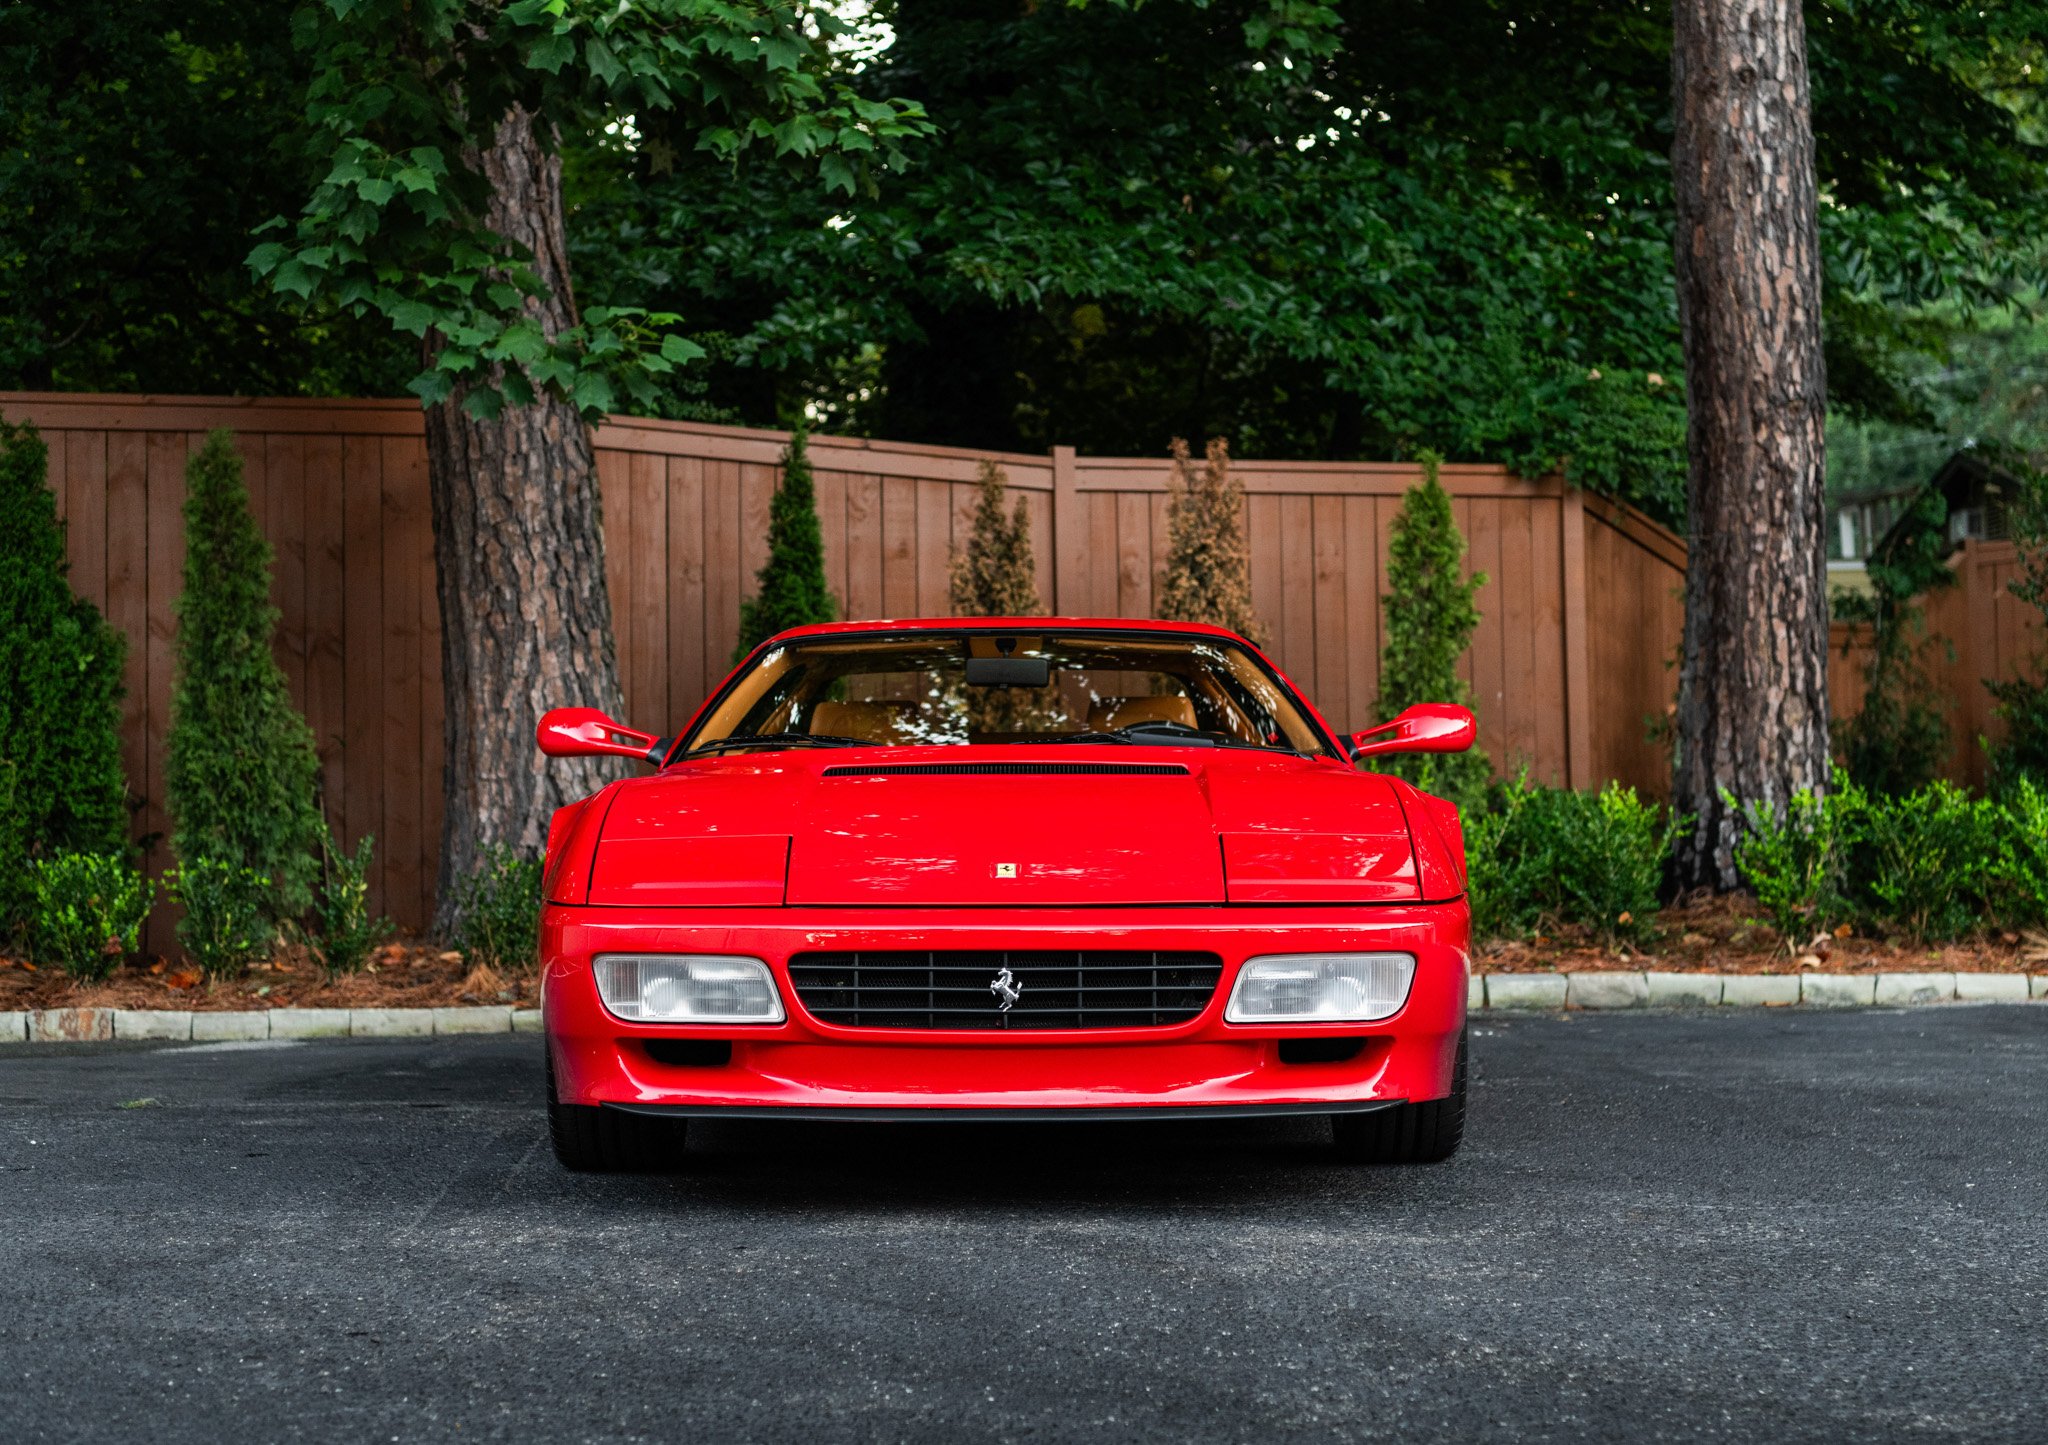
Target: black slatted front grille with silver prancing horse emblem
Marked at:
1058, 990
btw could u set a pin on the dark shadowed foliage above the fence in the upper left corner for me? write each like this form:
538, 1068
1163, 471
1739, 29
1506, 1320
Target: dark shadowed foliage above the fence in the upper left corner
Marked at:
140, 144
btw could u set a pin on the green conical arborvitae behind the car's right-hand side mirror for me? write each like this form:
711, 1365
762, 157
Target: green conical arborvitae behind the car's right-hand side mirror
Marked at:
1431, 623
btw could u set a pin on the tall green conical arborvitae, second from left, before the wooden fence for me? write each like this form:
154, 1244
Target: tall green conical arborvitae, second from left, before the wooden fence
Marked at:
241, 771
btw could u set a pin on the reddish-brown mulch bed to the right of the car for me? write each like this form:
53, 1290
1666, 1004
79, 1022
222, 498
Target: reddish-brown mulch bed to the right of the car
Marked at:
1730, 936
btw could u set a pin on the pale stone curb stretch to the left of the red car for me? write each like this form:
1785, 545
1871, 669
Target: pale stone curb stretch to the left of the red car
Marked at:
183, 1026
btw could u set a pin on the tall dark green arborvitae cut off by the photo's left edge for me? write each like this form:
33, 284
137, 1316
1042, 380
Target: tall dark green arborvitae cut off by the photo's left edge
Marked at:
60, 689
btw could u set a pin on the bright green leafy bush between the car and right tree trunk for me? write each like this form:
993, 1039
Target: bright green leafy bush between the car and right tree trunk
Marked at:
1547, 857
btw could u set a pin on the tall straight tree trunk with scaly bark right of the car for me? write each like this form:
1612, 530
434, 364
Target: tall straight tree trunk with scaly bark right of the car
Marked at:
1752, 715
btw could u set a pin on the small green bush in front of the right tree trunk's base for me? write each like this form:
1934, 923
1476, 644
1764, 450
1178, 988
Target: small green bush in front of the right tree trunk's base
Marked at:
1797, 859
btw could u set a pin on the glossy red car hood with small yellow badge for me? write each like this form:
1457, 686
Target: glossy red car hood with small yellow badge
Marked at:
949, 826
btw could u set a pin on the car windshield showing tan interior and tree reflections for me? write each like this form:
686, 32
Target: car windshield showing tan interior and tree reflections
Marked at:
990, 689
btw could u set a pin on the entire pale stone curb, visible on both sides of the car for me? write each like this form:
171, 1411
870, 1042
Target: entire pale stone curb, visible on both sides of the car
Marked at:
1488, 992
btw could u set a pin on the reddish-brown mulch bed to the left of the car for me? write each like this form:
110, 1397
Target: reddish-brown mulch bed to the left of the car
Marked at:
402, 975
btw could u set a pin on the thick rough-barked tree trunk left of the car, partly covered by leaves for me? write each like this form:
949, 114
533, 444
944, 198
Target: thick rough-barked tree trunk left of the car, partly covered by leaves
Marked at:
519, 550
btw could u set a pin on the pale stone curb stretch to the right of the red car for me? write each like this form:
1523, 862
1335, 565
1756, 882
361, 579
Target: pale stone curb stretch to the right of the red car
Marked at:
1703, 992
